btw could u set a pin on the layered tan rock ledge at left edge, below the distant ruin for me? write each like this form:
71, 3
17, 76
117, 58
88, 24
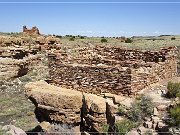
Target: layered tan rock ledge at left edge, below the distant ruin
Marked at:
17, 57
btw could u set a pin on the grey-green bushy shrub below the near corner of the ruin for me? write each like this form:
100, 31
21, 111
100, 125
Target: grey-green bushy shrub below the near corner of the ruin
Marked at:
142, 107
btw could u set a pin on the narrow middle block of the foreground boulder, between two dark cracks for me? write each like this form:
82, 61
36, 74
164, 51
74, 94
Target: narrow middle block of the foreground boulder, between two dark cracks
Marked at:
94, 111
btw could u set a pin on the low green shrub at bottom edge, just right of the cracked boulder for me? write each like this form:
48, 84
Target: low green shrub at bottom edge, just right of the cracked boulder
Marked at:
125, 126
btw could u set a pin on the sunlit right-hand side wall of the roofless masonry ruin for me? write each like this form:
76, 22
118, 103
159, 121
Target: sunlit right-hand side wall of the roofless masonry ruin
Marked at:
153, 73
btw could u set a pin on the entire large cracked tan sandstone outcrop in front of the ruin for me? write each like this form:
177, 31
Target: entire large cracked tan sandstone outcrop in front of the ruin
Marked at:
82, 111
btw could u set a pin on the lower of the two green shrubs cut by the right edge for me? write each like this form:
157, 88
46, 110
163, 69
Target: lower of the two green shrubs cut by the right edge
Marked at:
175, 116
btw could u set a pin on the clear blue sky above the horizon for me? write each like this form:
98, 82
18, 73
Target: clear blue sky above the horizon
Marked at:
92, 19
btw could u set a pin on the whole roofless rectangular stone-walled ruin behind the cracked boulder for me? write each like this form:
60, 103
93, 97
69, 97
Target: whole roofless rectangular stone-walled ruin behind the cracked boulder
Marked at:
112, 69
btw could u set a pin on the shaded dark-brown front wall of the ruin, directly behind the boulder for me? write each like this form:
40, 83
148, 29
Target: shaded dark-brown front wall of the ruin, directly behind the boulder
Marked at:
91, 79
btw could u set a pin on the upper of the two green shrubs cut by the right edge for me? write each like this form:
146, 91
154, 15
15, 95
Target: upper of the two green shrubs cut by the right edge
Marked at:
173, 90
